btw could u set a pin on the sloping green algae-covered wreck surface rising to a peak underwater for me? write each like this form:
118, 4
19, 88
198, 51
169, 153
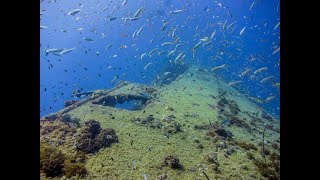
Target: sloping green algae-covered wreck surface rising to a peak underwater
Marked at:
196, 127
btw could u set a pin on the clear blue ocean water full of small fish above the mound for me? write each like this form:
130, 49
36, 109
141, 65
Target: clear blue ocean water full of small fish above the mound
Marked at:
91, 66
